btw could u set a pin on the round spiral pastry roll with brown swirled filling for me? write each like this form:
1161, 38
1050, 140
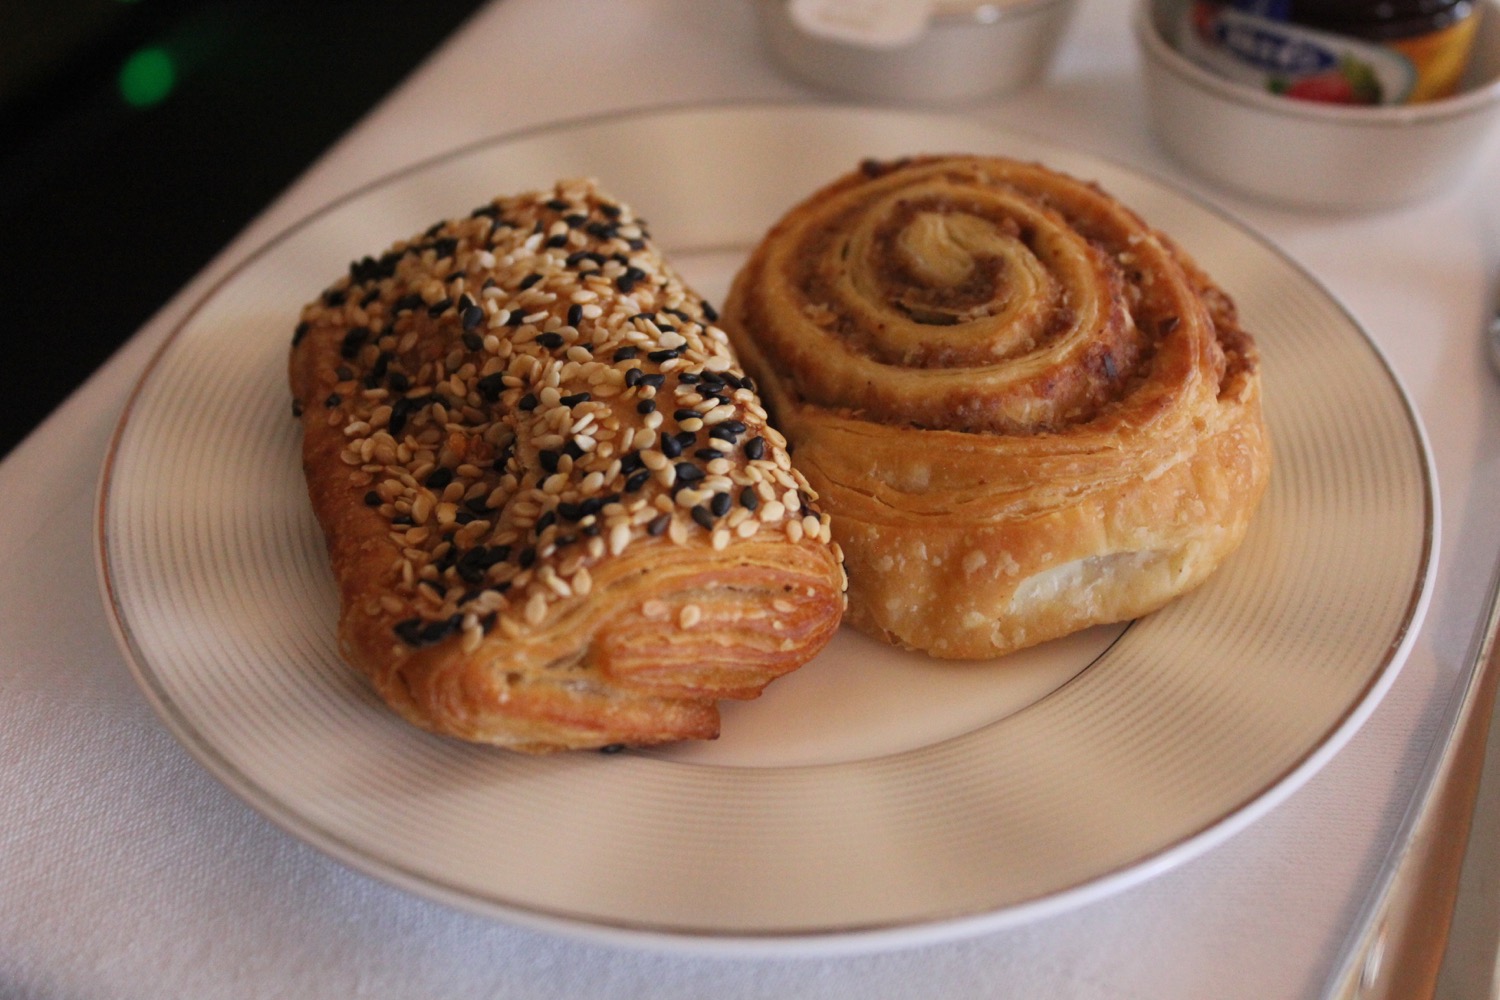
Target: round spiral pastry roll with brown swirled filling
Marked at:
1025, 410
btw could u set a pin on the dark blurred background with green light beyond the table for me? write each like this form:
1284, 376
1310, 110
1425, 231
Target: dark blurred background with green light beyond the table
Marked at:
139, 137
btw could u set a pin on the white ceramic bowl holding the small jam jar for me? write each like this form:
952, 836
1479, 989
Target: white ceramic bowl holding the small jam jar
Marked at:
1309, 155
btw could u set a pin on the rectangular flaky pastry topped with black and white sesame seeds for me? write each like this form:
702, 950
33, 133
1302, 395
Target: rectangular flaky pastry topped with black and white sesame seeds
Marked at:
553, 503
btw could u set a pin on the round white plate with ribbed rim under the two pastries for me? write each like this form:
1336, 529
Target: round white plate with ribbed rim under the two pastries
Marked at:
871, 800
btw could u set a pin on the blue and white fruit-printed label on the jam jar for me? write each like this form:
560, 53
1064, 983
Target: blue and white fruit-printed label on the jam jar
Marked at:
1294, 61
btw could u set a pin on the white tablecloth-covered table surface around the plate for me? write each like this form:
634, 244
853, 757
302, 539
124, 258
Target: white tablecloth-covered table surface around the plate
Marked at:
128, 872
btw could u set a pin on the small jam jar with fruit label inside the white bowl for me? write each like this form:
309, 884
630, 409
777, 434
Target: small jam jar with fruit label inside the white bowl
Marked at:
1336, 52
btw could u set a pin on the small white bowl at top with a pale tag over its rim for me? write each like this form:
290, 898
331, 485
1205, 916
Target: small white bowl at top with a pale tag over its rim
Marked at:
970, 50
